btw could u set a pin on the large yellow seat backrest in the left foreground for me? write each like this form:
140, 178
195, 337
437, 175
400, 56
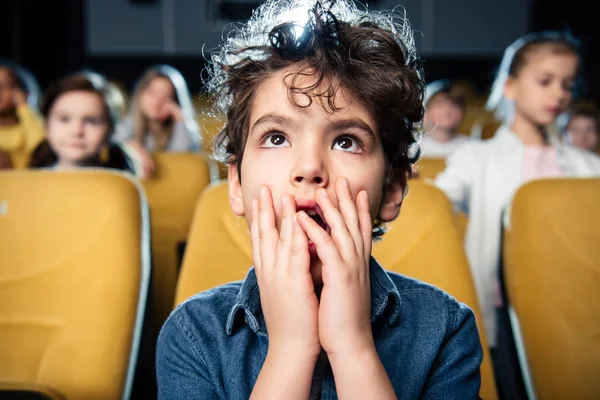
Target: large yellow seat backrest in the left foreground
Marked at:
74, 273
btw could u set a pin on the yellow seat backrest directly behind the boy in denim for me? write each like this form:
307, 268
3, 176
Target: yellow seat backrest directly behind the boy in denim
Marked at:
425, 245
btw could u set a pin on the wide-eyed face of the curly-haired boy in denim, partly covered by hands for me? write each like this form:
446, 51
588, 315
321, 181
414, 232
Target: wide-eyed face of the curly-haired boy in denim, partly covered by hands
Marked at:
295, 151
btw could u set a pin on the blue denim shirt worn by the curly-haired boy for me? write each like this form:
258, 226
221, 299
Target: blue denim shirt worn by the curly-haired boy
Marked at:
214, 344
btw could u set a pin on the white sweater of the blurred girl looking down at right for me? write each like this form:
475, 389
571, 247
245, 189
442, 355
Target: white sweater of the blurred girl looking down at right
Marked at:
481, 178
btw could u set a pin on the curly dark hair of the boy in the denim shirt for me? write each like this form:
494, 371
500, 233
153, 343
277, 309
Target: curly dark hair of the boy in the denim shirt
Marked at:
369, 54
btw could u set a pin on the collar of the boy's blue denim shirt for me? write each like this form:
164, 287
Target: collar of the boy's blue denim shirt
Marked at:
385, 300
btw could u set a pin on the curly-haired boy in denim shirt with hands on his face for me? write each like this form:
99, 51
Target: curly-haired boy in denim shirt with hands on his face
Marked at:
322, 101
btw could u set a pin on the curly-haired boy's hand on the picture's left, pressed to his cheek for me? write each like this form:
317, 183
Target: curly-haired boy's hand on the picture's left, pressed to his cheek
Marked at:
287, 294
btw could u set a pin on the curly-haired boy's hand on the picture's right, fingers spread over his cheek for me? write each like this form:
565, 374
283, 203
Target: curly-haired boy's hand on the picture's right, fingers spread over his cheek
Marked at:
345, 306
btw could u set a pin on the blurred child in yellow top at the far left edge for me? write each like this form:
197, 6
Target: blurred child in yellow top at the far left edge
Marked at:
21, 130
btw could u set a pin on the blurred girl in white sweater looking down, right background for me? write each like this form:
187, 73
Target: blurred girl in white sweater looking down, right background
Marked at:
533, 86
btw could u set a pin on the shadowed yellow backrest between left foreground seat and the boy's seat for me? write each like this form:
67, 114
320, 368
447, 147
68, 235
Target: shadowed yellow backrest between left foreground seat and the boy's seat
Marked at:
173, 193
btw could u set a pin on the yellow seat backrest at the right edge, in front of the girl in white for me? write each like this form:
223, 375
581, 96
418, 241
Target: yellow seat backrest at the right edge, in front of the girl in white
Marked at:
552, 274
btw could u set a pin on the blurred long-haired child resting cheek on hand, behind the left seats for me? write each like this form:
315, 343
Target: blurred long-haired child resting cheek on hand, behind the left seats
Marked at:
162, 117
